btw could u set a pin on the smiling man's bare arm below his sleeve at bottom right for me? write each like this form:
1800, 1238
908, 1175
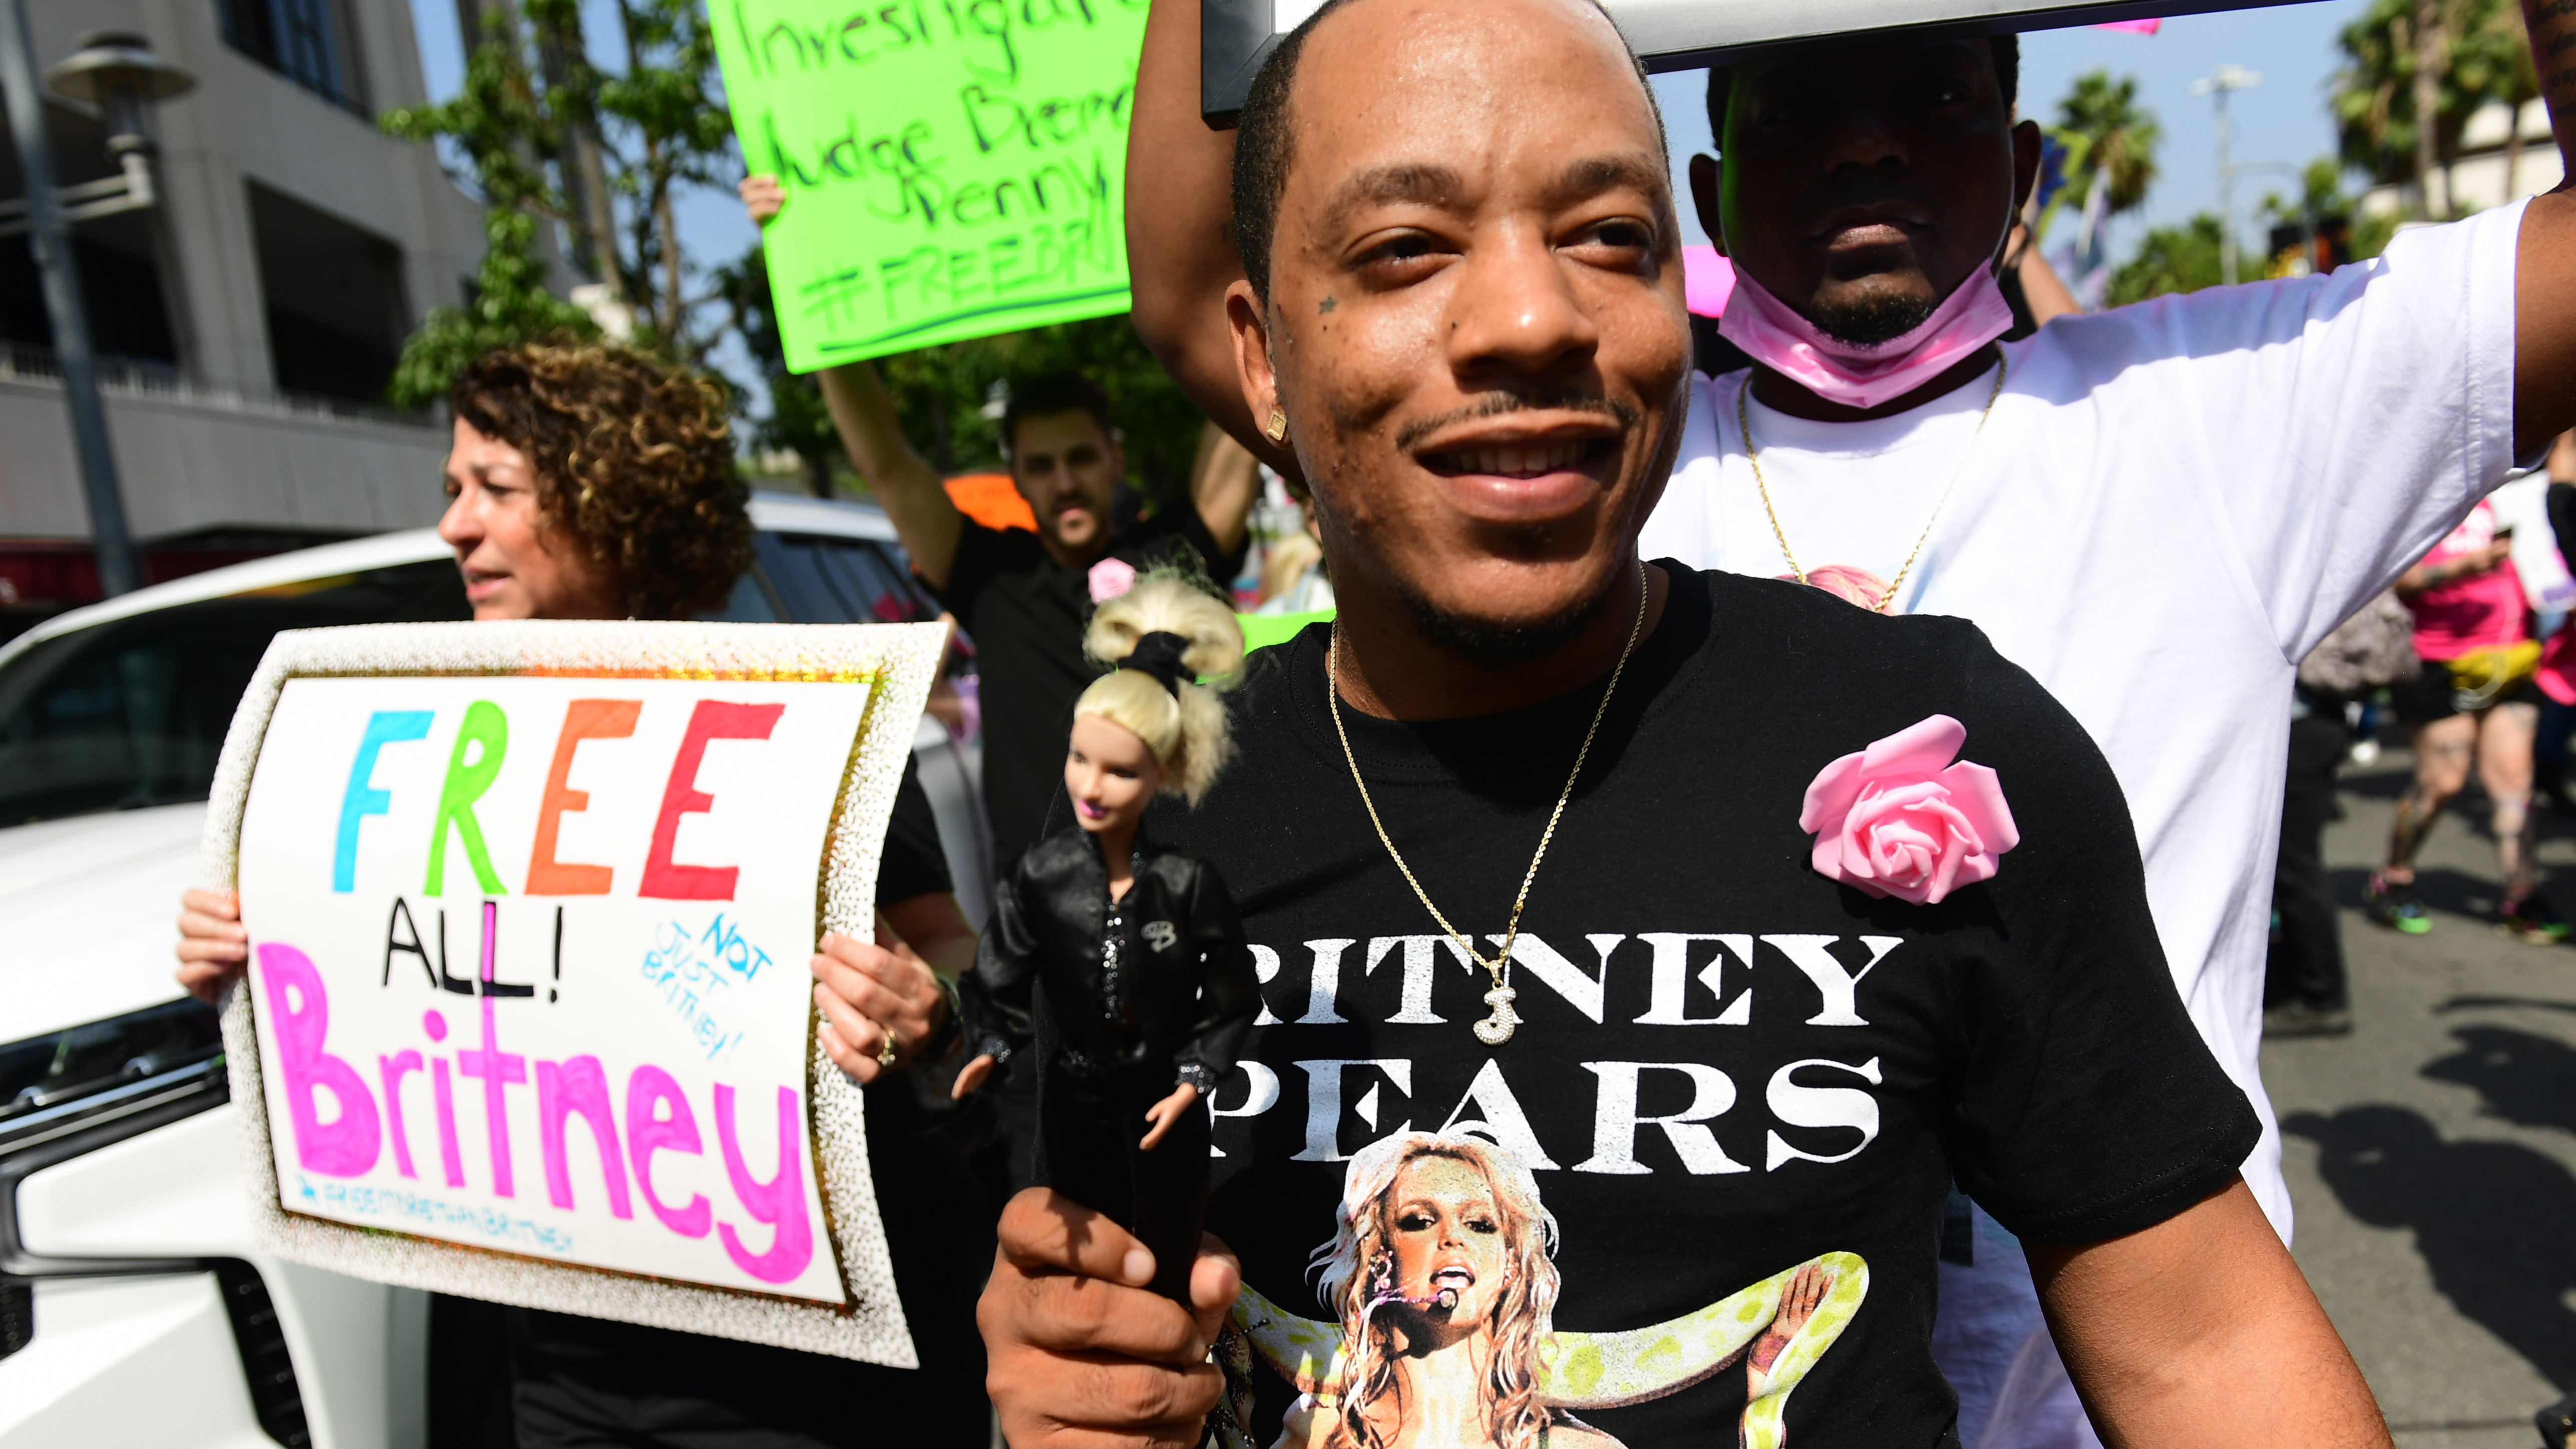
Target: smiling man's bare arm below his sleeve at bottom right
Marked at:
2201, 1332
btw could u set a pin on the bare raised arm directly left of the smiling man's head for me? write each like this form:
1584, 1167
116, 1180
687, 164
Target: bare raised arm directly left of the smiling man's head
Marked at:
1181, 228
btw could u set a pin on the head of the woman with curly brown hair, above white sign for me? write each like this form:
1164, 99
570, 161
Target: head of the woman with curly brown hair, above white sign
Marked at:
594, 483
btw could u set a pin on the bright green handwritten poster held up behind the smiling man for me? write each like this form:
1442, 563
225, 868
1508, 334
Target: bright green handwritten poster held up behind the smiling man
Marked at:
954, 169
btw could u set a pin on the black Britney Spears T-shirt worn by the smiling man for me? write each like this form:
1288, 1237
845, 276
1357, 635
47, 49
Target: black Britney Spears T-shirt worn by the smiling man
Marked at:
1696, 1192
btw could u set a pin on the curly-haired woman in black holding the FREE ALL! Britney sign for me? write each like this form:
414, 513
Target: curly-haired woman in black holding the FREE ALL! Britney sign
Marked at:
599, 483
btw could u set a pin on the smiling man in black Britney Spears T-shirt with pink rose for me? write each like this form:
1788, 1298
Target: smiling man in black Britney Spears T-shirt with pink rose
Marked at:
1673, 1172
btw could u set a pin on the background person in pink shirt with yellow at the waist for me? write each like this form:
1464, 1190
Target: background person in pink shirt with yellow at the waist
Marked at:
2472, 703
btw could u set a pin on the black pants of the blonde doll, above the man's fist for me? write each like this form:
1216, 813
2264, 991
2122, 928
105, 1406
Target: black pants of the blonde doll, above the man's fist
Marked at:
1088, 1138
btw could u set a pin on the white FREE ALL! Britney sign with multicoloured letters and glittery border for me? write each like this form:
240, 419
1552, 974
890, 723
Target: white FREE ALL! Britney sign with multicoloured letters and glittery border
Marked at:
529, 919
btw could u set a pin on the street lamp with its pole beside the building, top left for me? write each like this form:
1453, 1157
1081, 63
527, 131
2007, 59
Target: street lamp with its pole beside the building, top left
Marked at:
125, 81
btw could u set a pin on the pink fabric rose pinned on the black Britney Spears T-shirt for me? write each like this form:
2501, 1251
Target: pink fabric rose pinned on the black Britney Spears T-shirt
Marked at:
1908, 816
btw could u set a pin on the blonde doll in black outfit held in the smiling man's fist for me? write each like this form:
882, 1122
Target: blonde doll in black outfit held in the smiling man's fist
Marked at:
1132, 953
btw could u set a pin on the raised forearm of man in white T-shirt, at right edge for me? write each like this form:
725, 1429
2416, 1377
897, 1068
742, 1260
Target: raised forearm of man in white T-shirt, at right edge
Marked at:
2546, 259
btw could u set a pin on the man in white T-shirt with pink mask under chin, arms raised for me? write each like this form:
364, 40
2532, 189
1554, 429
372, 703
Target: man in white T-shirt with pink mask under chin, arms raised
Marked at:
2155, 512
